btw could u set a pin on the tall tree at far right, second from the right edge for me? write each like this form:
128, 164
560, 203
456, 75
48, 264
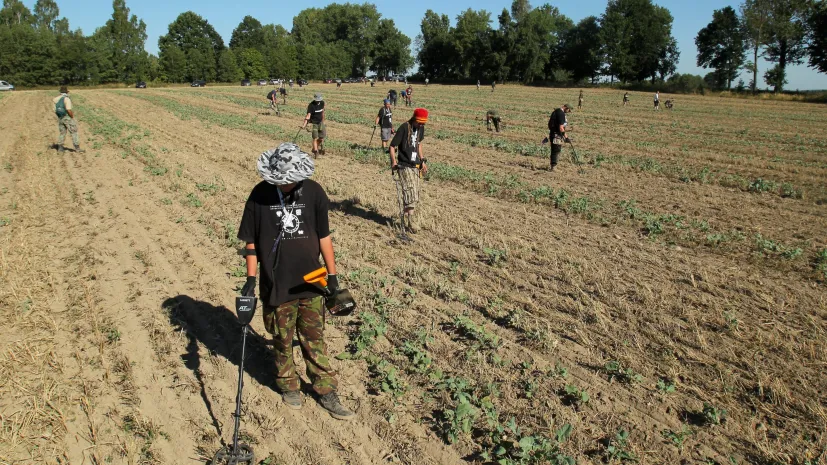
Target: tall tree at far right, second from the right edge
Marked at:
786, 44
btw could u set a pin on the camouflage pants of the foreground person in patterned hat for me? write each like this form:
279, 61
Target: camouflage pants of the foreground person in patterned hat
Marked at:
306, 315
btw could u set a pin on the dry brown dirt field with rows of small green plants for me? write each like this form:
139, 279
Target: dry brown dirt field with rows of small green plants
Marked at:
659, 298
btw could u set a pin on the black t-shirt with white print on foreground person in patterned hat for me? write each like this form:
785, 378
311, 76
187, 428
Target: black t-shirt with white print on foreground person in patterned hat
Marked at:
283, 266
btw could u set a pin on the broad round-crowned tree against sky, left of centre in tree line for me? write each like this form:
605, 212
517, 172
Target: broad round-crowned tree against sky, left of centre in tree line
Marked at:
199, 42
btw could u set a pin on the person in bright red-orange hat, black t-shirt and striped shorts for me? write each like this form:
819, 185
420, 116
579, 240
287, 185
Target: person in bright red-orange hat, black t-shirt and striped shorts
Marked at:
408, 160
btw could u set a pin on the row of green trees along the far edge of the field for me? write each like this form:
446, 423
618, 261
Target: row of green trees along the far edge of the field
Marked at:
630, 42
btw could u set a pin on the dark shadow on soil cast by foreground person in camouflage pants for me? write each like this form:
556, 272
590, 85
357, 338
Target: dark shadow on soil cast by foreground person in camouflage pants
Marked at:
220, 332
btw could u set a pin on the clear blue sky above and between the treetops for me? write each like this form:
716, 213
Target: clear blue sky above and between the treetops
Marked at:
224, 15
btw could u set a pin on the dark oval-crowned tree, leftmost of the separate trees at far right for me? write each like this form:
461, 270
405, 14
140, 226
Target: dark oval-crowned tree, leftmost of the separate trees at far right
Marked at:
721, 46
